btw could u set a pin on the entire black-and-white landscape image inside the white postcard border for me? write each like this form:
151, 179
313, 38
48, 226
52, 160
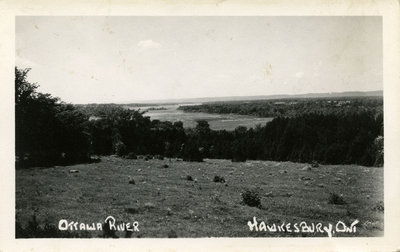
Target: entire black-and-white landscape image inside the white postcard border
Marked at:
199, 126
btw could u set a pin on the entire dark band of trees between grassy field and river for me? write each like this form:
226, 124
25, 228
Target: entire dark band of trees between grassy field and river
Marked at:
50, 132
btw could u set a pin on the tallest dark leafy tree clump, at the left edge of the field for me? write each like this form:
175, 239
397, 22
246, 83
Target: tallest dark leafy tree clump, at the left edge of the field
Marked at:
47, 131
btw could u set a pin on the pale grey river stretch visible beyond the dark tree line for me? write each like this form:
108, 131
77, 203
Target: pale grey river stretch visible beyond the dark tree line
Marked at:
216, 121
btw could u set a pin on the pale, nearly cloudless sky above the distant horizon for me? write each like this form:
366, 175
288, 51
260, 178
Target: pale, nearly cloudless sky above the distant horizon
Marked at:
131, 59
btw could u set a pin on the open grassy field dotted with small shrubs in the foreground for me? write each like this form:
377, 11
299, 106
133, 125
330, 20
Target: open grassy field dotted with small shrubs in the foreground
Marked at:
166, 204
